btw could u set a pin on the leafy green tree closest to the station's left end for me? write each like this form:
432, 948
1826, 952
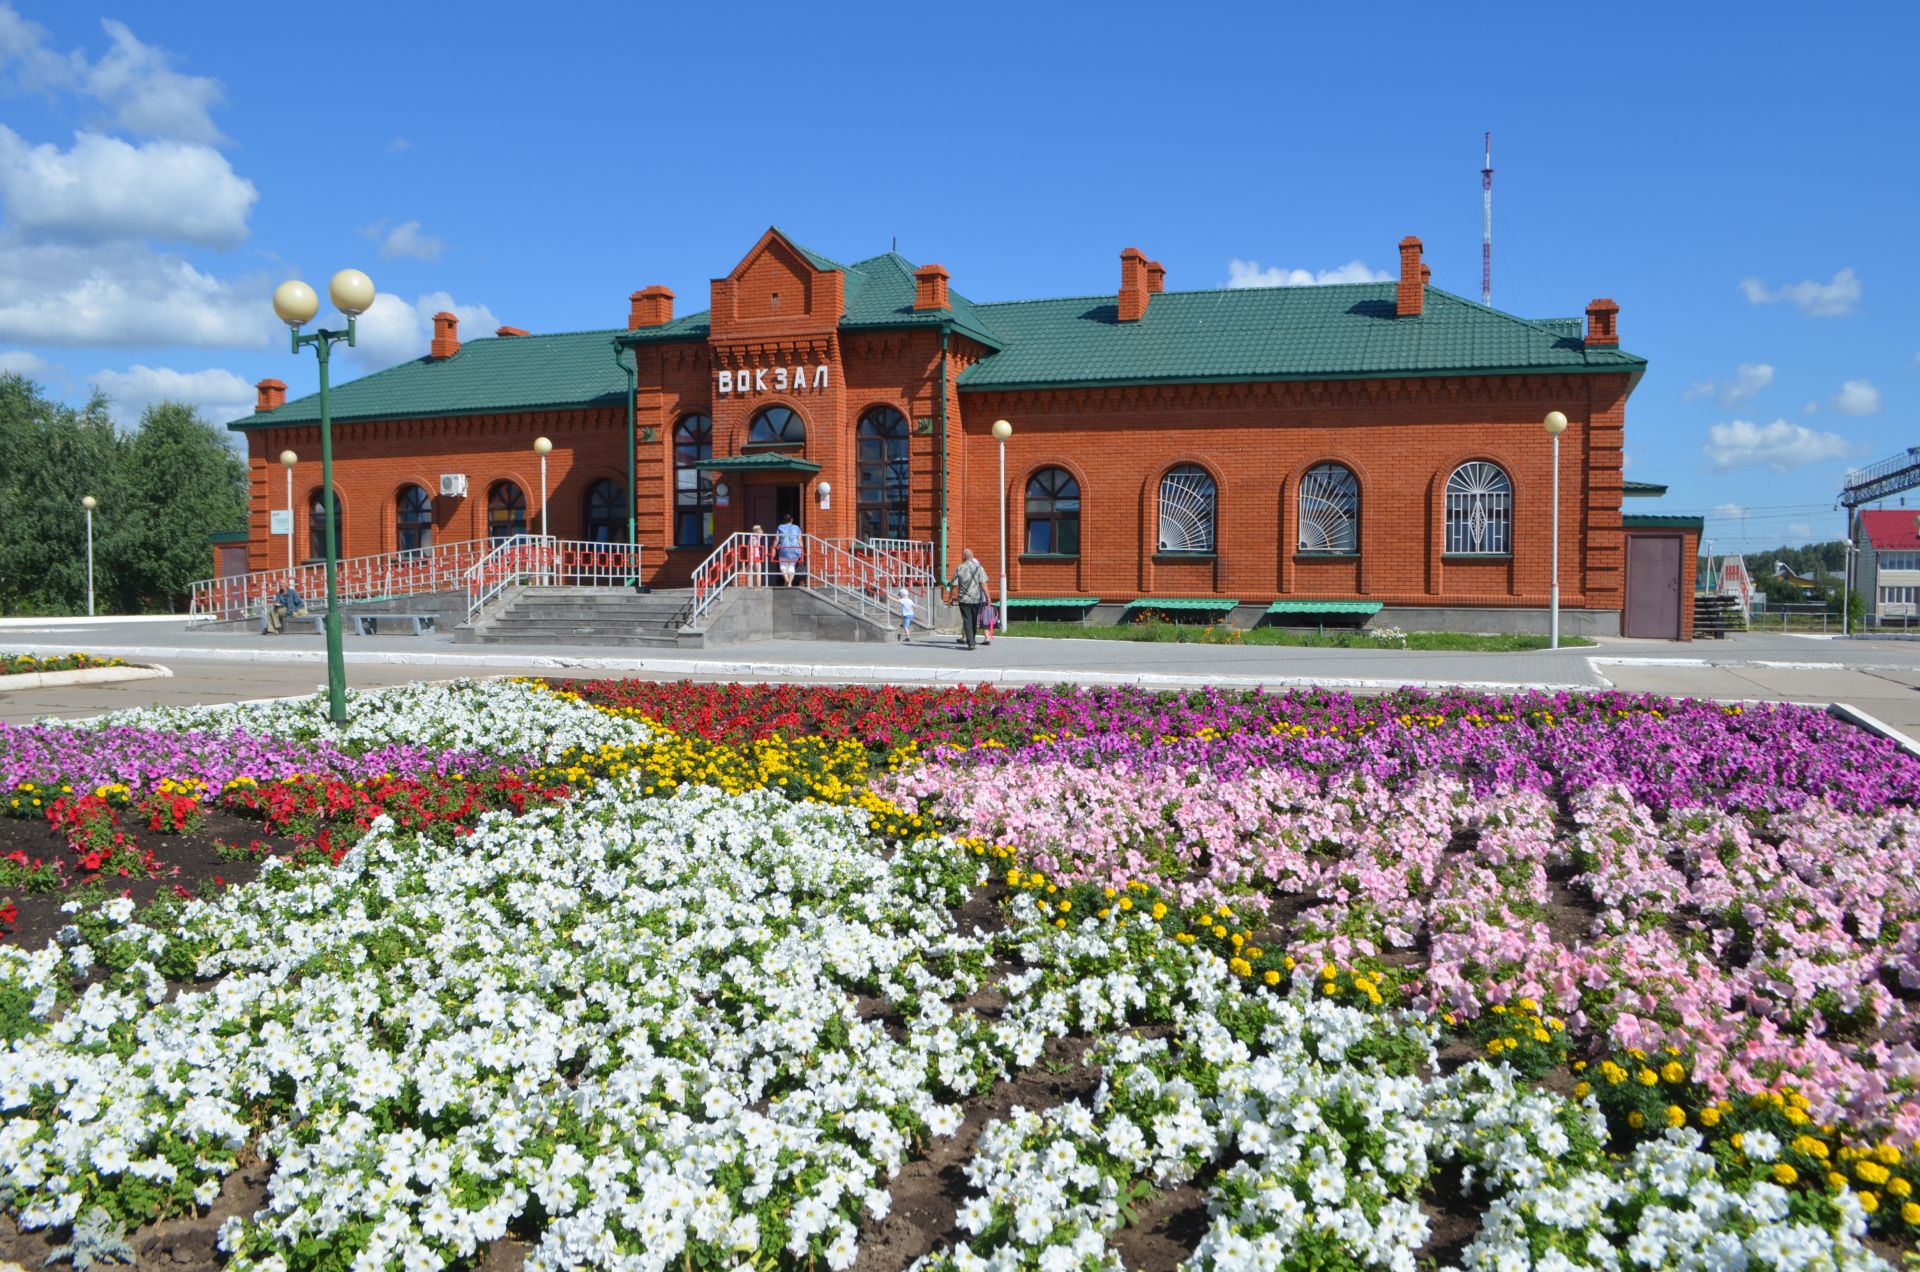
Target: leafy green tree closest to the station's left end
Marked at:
183, 483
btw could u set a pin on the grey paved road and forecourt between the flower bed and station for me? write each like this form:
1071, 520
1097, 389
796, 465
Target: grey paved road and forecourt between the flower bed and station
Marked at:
1883, 677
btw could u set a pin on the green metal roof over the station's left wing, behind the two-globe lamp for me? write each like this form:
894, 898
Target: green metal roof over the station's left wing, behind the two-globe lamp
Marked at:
494, 374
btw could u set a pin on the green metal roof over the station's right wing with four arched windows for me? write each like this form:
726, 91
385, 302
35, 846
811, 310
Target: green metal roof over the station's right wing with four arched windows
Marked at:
1307, 333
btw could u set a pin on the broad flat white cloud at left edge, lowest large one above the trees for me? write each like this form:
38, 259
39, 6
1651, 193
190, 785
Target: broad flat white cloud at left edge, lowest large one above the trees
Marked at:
126, 295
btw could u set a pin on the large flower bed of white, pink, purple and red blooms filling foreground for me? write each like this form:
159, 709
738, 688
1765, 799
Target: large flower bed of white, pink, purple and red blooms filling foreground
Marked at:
696, 977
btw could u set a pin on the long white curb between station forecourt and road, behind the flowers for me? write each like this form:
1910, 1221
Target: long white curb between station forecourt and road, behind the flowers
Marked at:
825, 672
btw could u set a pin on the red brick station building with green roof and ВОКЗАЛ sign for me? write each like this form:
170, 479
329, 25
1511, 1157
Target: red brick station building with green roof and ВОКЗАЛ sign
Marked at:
1376, 445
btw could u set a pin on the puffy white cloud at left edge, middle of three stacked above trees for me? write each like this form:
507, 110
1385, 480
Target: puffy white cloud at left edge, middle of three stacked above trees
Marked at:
110, 189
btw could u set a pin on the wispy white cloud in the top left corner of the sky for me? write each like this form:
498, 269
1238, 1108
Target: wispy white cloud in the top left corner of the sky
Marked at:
135, 82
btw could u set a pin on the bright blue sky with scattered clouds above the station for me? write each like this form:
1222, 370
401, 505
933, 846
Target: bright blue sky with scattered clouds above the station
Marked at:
1740, 180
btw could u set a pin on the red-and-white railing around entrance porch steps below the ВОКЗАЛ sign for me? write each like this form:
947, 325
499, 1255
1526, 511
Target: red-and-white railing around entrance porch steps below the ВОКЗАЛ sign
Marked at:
865, 579
